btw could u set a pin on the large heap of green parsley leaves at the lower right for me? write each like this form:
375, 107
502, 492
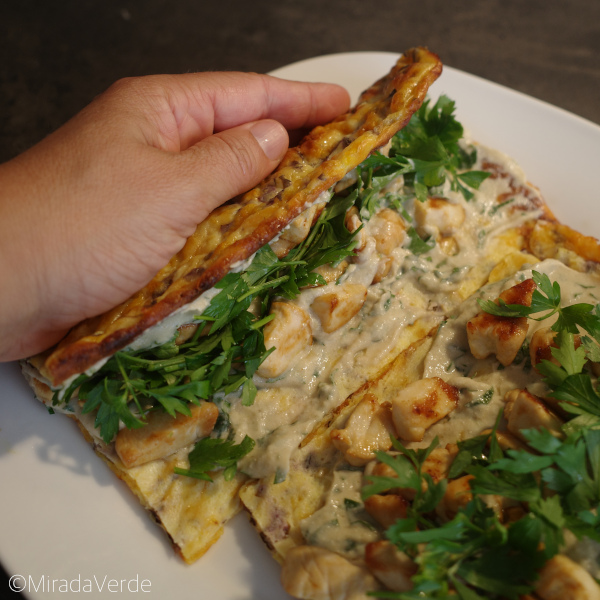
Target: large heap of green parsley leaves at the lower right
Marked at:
557, 481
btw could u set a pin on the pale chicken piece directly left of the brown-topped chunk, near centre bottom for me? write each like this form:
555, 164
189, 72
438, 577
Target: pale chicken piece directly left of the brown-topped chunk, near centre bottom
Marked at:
368, 429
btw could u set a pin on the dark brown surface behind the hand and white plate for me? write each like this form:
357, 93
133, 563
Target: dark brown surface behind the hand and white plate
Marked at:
56, 56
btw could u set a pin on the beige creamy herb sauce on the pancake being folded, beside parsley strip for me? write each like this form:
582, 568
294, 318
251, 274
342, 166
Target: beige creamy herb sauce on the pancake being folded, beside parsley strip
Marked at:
419, 288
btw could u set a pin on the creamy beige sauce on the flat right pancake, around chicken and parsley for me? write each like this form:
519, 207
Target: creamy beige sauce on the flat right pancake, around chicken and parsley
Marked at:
450, 359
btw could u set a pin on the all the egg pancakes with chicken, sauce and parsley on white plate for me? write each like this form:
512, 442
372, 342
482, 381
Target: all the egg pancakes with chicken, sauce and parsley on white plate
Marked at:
394, 371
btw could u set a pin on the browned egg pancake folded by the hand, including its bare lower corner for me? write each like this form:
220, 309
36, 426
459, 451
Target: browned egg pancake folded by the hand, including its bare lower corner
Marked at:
193, 512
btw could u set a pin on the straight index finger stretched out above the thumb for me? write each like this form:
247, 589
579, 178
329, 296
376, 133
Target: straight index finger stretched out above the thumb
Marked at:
183, 109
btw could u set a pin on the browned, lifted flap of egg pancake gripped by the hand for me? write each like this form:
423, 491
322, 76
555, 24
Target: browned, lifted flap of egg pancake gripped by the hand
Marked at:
236, 230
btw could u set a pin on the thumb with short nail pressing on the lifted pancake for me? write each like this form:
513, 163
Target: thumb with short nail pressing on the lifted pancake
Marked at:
233, 161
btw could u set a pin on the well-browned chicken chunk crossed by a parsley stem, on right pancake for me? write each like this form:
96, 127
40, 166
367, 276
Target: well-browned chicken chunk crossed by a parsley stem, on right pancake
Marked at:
503, 336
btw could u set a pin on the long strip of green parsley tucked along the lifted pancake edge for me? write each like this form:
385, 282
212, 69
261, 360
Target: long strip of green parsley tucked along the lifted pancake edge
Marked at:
228, 347
